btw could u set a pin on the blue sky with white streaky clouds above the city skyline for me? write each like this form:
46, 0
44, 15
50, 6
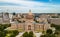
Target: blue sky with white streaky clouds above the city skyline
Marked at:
36, 6
